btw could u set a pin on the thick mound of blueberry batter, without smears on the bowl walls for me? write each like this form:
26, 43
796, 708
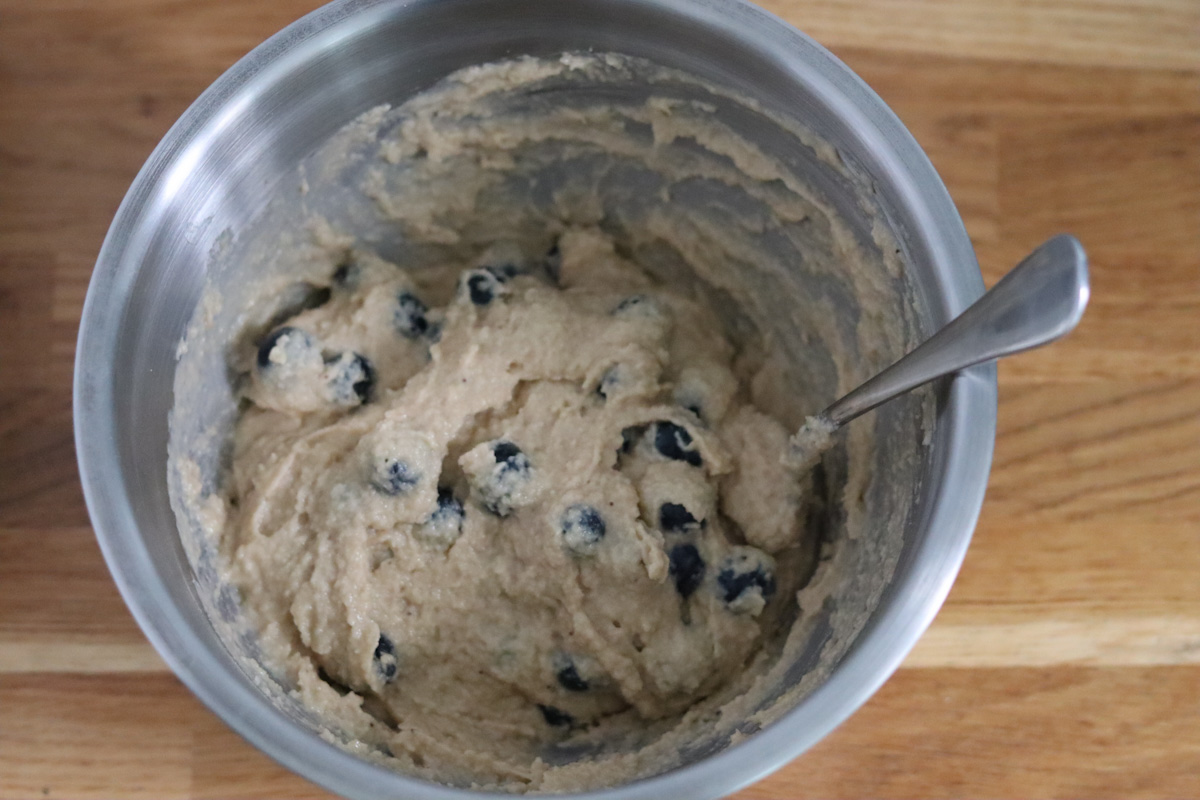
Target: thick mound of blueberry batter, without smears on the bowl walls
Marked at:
507, 507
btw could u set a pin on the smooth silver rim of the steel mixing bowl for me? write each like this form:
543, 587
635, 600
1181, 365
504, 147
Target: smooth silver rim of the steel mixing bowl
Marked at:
969, 422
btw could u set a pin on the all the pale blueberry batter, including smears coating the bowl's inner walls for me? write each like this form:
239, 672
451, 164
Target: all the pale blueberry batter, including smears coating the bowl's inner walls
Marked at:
508, 508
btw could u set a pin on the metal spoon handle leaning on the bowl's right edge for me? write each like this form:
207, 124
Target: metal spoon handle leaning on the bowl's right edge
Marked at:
1041, 300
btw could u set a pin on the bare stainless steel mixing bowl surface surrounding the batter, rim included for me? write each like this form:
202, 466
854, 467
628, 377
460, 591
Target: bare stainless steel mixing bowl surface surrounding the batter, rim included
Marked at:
218, 166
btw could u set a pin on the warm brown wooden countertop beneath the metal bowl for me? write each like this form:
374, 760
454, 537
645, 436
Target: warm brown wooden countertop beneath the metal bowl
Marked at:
1067, 660
